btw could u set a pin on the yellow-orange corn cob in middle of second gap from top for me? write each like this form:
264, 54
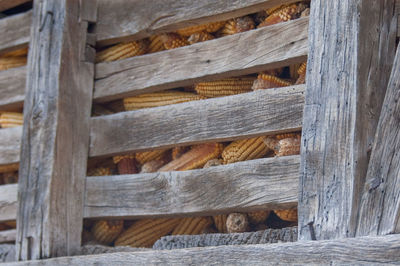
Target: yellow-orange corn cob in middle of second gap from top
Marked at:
224, 87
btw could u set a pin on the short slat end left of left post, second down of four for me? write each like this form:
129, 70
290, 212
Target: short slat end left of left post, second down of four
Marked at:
12, 88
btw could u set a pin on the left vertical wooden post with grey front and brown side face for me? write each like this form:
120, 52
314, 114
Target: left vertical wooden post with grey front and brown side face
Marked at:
56, 130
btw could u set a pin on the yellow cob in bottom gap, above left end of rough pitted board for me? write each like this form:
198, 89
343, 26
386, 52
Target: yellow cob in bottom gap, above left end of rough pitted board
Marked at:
192, 226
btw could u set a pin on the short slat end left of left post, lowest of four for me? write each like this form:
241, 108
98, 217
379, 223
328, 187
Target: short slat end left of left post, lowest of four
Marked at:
8, 202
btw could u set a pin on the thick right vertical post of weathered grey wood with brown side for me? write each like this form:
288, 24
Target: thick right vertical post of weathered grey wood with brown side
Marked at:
352, 45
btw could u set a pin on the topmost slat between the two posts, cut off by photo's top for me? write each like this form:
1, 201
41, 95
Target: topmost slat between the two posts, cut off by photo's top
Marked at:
121, 20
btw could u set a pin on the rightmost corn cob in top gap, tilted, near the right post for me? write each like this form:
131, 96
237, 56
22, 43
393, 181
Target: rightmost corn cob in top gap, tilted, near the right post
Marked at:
287, 13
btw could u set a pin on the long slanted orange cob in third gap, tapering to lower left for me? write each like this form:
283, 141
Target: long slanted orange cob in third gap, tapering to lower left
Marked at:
195, 158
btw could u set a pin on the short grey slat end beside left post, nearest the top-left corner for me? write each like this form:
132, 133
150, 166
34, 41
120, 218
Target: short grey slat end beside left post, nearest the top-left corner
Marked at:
14, 31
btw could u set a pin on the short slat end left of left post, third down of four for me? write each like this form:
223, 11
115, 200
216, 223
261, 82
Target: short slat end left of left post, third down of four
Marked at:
10, 145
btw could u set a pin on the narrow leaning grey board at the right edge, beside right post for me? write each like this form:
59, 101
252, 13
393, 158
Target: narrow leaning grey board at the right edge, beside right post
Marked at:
380, 204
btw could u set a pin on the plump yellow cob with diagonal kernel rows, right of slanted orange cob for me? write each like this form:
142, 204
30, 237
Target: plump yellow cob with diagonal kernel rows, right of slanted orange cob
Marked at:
245, 149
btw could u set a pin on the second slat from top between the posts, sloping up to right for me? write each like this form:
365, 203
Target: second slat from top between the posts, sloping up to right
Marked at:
248, 52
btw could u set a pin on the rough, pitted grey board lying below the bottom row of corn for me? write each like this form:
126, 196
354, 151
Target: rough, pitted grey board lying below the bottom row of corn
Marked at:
268, 236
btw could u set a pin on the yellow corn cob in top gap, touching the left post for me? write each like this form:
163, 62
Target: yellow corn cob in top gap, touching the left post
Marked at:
122, 51
